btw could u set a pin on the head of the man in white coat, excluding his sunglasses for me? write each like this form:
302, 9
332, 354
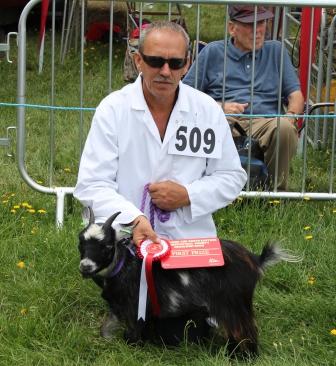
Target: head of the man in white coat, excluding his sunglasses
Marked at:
160, 83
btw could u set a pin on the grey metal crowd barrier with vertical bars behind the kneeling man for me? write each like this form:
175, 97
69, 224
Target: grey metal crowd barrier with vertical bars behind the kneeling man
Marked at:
58, 102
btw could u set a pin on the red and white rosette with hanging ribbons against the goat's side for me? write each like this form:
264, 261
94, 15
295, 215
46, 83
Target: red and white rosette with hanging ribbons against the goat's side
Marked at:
150, 252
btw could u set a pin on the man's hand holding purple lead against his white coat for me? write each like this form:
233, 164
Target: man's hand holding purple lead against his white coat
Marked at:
169, 195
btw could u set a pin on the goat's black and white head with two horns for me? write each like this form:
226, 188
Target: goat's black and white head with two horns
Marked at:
96, 245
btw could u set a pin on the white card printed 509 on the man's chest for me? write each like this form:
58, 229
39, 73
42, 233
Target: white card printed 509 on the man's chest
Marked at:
198, 140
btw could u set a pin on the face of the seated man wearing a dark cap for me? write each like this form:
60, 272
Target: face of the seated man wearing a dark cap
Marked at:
242, 34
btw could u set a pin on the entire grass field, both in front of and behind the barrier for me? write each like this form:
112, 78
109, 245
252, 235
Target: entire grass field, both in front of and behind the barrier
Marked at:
49, 315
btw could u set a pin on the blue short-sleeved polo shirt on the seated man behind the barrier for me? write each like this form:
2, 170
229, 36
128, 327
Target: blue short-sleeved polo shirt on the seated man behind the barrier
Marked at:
239, 75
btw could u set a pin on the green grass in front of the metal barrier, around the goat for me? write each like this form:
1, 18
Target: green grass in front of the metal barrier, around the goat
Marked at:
50, 315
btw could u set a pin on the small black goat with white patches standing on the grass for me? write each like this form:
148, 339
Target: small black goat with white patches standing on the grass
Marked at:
223, 294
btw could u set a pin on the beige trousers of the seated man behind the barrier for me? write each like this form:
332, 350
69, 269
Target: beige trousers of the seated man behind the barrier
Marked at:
265, 130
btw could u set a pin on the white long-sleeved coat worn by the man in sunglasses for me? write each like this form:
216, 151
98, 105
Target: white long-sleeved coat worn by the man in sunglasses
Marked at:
123, 152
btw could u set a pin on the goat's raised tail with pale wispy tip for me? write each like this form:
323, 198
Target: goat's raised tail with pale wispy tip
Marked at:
272, 253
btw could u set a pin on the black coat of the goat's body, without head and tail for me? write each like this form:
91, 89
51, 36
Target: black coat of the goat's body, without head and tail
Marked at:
223, 293
